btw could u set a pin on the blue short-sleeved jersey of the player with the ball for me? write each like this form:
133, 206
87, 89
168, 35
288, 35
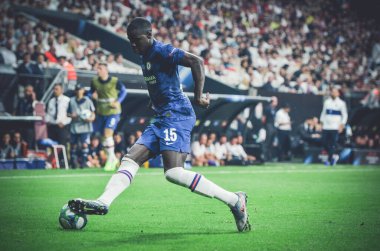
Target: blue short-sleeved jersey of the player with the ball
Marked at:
160, 70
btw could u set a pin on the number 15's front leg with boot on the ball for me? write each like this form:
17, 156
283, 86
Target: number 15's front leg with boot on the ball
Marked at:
120, 181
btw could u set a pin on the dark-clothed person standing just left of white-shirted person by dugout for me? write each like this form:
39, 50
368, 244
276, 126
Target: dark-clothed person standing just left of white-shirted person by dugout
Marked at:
268, 119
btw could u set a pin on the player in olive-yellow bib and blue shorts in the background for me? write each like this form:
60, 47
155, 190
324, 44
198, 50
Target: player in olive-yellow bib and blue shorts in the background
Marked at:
108, 92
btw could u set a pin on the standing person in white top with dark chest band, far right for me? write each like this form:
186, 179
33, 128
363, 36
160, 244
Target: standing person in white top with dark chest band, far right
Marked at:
333, 119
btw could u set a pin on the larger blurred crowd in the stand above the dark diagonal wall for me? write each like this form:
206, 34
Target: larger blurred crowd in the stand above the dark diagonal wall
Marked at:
273, 45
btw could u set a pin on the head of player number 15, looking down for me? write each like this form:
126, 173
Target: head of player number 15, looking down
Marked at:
140, 35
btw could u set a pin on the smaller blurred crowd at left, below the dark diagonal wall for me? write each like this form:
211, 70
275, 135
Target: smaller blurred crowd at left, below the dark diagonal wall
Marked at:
31, 47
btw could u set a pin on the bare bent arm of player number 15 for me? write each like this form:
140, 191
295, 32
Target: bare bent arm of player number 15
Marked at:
198, 72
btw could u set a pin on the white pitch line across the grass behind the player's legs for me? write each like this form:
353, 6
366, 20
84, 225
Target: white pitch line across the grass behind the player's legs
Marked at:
155, 173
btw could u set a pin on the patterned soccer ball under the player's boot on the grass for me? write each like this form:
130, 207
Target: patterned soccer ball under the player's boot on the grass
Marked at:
70, 220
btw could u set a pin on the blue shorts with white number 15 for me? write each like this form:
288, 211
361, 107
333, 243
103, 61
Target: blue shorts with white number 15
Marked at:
168, 135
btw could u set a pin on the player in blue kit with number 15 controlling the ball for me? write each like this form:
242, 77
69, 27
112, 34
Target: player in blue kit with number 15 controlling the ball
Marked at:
169, 134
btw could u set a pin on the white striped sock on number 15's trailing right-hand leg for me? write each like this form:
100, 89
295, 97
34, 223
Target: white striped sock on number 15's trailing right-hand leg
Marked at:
199, 184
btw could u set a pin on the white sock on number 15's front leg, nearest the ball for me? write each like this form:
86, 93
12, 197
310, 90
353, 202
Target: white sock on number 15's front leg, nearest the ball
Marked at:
119, 181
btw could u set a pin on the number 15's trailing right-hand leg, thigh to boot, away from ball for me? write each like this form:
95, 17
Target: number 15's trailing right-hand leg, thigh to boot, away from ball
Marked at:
175, 173
